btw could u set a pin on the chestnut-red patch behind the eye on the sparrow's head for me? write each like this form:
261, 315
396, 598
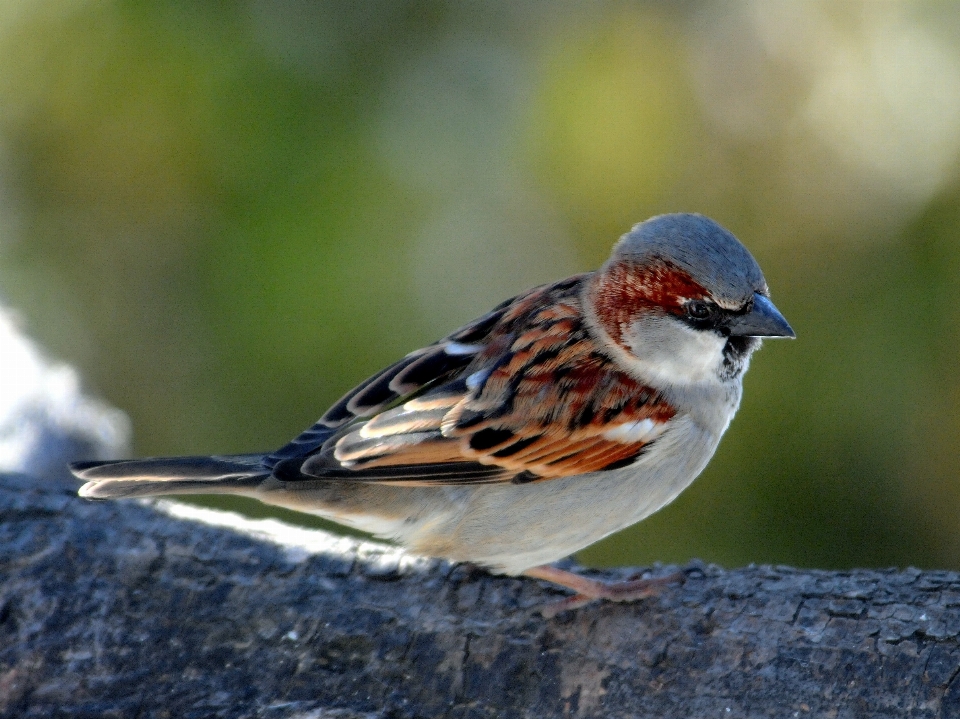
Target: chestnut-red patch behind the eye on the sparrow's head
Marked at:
623, 289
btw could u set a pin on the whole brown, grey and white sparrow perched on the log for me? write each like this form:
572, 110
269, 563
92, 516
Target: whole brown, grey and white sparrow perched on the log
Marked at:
566, 413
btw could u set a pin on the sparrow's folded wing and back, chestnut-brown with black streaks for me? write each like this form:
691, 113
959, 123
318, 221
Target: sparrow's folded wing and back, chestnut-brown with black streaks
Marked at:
522, 394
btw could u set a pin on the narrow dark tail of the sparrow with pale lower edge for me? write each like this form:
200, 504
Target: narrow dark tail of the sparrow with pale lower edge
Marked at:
235, 474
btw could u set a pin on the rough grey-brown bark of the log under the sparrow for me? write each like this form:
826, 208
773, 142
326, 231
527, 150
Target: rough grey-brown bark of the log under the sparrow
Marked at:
128, 610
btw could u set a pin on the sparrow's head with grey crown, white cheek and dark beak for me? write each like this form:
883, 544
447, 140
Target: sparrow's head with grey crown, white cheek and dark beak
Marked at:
683, 301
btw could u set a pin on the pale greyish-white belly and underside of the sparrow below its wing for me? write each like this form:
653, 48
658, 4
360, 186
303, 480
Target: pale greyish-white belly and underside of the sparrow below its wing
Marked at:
509, 528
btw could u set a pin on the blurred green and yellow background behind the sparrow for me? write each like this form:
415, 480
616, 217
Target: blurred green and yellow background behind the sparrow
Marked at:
228, 213
